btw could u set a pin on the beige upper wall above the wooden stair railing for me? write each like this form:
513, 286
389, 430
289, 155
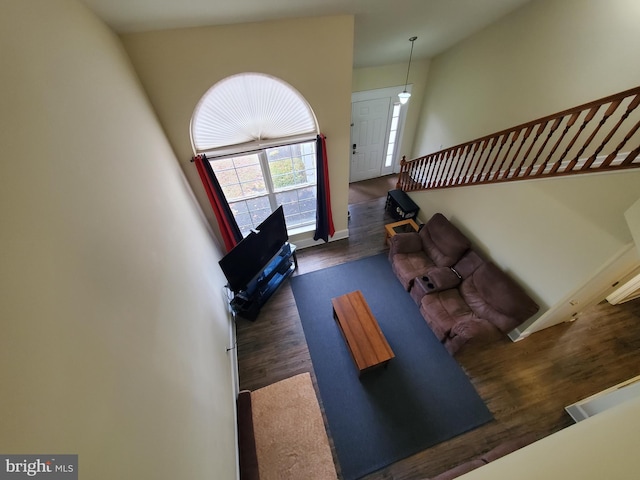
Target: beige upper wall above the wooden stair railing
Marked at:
545, 57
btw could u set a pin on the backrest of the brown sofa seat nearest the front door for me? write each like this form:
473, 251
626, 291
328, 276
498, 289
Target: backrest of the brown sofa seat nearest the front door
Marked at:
442, 241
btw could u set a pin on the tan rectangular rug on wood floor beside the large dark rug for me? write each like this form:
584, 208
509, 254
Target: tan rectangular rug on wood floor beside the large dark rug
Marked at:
291, 441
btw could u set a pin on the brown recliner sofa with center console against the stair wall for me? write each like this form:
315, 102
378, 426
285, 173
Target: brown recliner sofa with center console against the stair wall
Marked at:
463, 297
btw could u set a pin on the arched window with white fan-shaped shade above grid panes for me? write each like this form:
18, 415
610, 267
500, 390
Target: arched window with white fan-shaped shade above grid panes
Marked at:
259, 135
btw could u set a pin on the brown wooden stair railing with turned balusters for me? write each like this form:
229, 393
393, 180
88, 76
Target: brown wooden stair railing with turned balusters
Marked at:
586, 139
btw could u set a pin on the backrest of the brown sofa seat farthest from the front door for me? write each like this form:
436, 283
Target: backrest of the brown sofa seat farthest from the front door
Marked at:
492, 295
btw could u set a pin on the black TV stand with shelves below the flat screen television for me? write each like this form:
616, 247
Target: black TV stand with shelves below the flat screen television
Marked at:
247, 302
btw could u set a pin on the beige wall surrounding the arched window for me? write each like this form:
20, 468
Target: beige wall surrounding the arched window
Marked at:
314, 55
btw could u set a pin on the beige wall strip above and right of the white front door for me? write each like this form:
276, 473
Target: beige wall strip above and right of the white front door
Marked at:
372, 78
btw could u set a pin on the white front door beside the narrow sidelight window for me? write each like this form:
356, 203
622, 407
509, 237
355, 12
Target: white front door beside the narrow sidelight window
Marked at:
369, 138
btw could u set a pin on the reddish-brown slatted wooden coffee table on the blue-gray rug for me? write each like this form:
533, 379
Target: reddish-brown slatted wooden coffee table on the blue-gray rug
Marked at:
361, 331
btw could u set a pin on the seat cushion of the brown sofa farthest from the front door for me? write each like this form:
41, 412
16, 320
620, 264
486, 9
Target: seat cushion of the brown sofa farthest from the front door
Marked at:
443, 310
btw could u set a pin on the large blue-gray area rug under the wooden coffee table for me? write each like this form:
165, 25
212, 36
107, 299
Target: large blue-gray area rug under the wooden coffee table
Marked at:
422, 398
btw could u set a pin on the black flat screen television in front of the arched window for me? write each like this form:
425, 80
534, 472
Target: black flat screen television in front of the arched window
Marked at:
253, 253
